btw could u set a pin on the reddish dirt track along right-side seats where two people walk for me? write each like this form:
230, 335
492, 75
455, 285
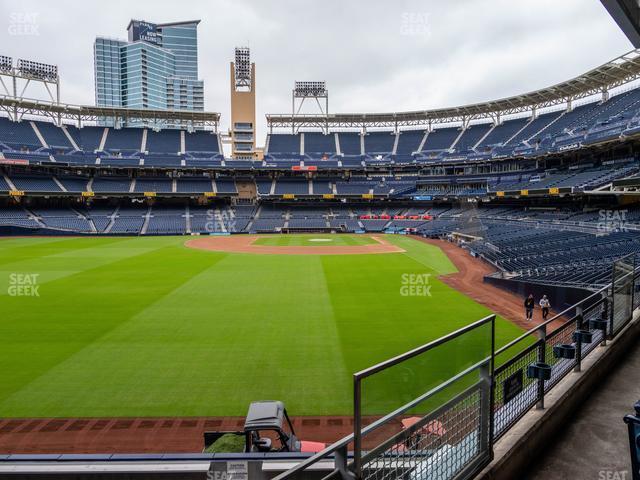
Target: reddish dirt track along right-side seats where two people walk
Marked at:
469, 280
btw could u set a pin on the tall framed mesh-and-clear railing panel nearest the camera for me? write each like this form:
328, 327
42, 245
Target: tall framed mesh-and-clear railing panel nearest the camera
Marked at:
440, 442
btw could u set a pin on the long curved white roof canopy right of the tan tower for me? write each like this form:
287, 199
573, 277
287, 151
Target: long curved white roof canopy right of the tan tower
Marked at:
600, 80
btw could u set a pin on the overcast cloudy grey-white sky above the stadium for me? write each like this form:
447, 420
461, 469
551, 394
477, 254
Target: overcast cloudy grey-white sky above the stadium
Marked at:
376, 55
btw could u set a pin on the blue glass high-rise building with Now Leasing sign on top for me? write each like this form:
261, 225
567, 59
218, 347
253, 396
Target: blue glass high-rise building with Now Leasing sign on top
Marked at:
155, 68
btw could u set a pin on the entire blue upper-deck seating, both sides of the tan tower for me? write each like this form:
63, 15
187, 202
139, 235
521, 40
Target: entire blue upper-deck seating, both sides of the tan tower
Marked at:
550, 131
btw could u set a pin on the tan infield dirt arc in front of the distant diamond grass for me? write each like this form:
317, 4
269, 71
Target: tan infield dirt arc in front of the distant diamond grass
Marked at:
245, 244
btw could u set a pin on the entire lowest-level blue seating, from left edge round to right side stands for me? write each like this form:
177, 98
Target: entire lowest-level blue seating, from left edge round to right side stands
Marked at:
564, 246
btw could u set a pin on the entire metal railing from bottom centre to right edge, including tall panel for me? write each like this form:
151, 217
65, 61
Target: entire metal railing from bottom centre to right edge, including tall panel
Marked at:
454, 424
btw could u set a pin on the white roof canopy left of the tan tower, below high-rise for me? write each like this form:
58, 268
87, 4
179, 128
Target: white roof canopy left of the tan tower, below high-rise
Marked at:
18, 107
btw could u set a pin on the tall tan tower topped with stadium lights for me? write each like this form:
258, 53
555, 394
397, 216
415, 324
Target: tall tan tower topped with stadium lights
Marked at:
243, 105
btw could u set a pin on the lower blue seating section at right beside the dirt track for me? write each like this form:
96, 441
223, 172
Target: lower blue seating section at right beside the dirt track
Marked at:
529, 245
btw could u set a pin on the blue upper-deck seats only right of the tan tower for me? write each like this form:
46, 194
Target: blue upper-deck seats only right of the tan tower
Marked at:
549, 131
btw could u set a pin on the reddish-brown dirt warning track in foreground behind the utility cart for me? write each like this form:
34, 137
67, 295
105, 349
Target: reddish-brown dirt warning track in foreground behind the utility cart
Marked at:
152, 435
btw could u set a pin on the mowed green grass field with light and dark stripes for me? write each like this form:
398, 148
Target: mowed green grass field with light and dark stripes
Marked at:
149, 327
